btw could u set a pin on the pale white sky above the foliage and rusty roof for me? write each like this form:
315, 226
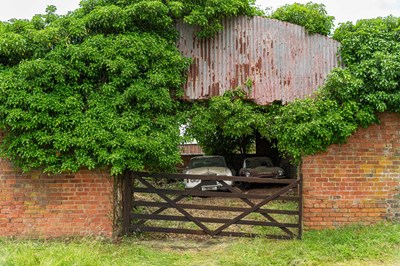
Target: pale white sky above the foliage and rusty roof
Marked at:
342, 10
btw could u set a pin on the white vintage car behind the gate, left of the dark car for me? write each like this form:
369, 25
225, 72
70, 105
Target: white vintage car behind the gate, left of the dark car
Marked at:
207, 165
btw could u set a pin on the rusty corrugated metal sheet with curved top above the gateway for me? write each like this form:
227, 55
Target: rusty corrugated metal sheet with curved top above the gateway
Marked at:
282, 60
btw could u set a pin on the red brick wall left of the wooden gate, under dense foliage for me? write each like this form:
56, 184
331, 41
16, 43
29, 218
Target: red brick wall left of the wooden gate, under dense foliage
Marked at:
38, 205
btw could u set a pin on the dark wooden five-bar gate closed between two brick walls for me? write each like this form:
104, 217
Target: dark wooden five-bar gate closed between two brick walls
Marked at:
160, 203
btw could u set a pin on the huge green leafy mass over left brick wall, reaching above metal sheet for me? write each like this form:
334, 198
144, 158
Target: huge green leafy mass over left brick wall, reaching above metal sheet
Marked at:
99, 87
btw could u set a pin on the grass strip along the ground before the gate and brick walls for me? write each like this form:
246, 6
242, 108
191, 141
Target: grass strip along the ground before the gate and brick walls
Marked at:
356, 245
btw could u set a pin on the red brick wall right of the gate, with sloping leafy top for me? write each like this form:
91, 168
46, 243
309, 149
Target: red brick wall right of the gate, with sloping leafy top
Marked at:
357, 182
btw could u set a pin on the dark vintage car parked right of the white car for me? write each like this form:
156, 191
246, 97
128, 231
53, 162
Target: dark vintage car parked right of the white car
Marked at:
261, 167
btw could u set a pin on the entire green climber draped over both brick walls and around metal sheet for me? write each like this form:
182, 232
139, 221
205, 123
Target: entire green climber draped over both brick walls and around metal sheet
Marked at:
100, 88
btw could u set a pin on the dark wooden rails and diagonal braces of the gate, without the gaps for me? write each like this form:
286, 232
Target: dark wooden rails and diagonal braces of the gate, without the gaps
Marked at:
171, 198
